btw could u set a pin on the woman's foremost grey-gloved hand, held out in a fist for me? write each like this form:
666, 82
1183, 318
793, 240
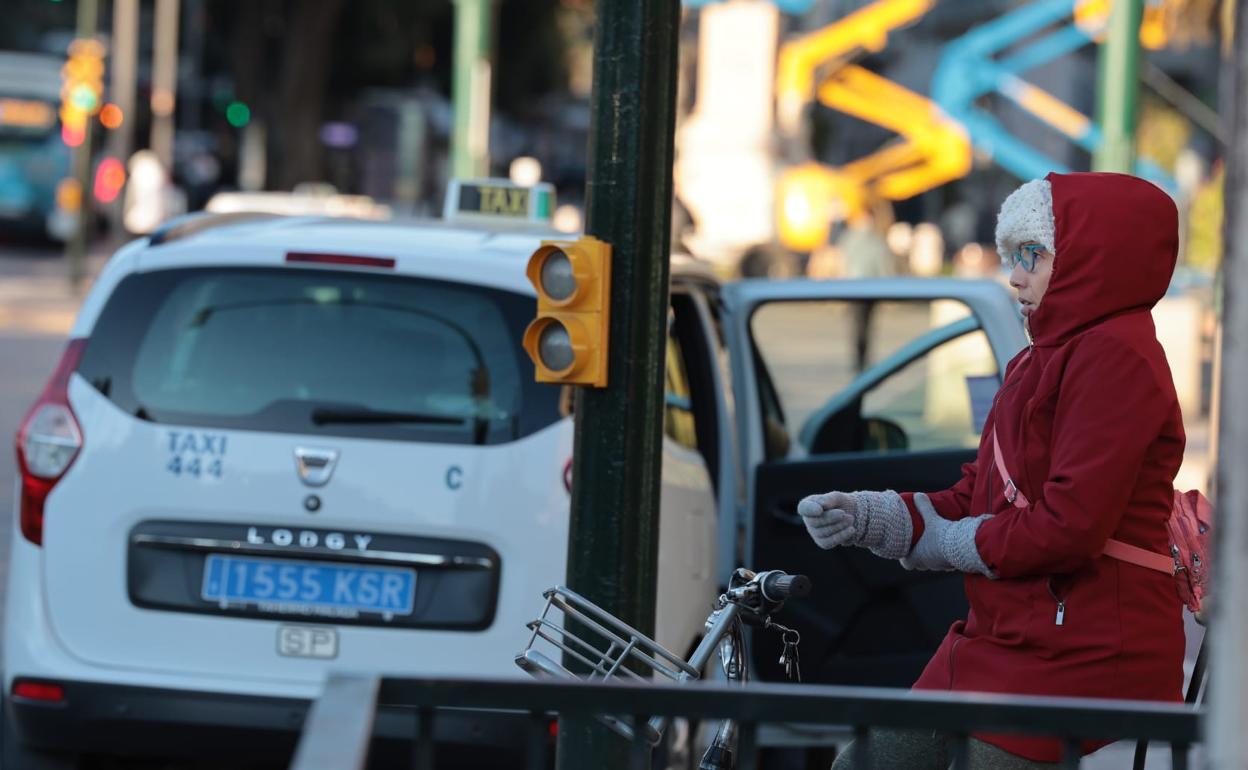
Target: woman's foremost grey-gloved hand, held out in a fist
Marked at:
877, 521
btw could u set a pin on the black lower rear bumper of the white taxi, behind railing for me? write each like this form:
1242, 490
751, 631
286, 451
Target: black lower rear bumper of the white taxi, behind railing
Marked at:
133, 721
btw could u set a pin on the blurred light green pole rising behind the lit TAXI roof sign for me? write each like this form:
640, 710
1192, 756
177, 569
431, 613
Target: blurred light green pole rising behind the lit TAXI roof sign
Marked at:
471, 88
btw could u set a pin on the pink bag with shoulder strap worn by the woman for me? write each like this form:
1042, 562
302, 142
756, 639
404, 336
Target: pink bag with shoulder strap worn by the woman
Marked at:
1191, 535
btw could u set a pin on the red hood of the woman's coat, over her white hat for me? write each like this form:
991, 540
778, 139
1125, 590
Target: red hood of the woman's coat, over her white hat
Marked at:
1116, 246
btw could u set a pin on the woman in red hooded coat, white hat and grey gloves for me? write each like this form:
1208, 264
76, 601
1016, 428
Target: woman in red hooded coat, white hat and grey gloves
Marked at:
1091, 436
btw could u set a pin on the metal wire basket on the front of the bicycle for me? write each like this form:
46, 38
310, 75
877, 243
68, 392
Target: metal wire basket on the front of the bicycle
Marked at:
601, 647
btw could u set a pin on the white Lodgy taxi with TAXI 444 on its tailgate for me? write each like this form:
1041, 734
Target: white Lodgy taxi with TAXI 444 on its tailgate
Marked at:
278, 446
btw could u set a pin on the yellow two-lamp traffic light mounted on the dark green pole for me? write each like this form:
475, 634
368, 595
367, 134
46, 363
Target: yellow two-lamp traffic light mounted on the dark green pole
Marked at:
568, 340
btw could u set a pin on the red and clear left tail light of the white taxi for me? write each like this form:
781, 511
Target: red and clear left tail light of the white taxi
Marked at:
48, 442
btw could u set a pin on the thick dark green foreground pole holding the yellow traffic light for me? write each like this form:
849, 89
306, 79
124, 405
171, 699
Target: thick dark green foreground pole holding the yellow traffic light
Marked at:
615, 534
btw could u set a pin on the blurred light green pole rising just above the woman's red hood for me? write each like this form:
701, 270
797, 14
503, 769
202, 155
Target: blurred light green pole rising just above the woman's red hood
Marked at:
1119, 88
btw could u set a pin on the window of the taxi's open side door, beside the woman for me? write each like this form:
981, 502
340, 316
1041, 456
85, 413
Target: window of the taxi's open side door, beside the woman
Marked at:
872, 376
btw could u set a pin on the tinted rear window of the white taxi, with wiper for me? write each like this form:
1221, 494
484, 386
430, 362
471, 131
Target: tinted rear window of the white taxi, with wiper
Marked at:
320, 351
